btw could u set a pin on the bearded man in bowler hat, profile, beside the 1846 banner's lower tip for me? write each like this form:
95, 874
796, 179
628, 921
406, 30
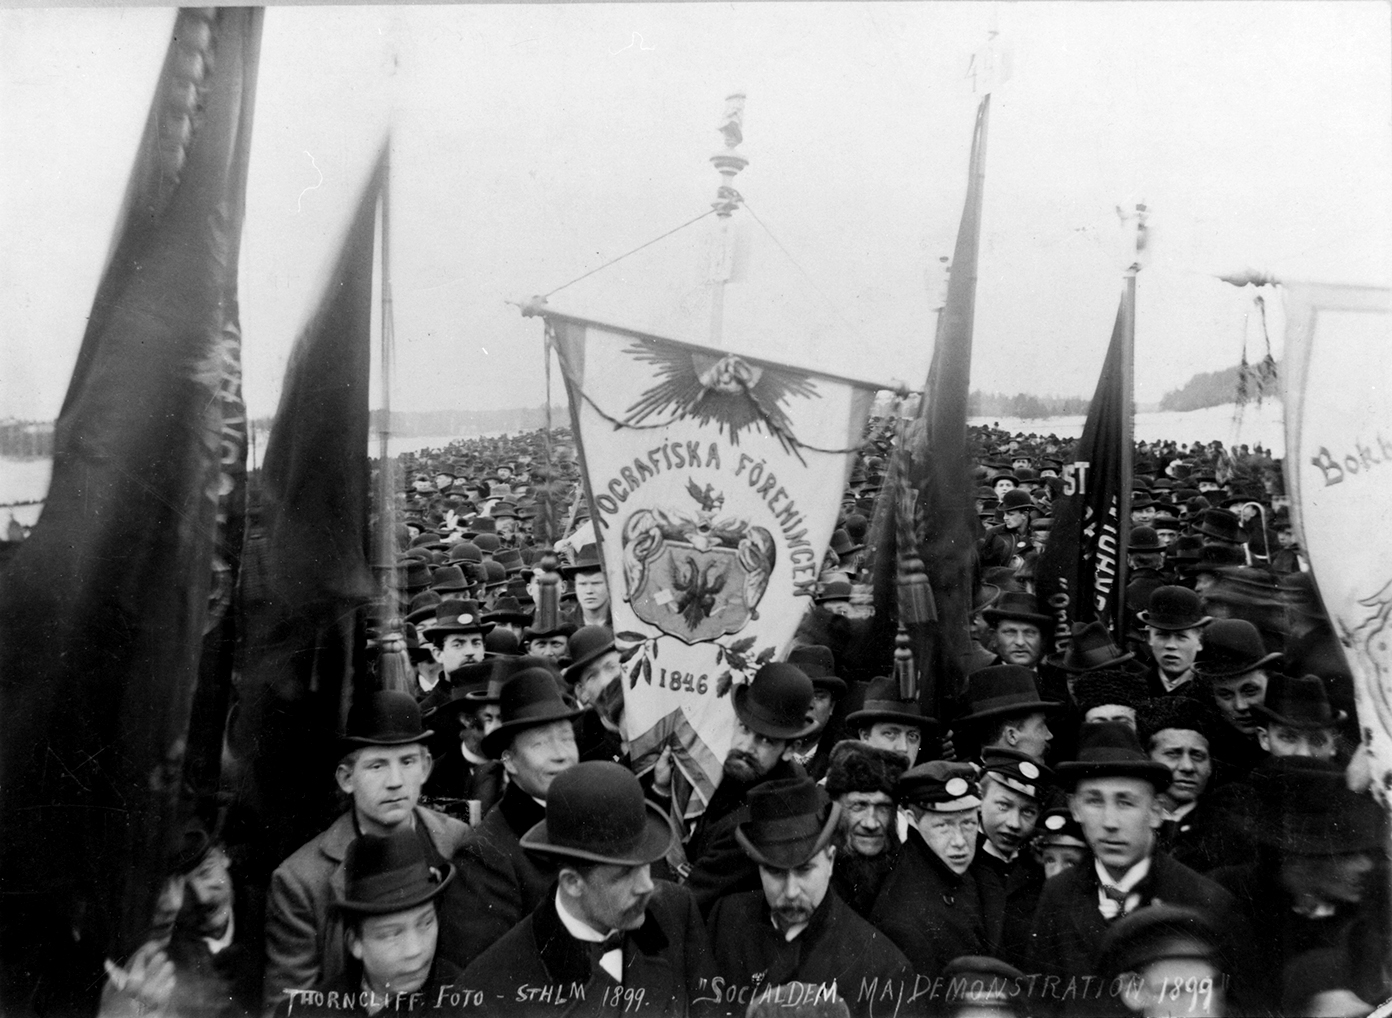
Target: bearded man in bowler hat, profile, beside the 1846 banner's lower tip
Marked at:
770, 716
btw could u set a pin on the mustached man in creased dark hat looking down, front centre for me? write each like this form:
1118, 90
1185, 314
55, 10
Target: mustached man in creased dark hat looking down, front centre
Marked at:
796, 928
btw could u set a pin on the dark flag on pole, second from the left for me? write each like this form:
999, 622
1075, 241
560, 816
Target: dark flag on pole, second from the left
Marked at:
306, 573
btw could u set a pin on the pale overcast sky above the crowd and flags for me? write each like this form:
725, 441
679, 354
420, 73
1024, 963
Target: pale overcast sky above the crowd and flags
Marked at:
537, 143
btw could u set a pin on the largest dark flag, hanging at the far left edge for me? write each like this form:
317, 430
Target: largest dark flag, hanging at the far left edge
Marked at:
105, 608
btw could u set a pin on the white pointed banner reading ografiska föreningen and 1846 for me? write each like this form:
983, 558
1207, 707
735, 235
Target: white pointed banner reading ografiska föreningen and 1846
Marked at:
715, 484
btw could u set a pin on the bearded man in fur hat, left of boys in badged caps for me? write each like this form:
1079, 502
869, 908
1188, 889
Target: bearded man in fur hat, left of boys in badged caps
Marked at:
861, 779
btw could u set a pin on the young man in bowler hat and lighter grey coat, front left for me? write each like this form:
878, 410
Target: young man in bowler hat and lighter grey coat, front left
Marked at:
385, 764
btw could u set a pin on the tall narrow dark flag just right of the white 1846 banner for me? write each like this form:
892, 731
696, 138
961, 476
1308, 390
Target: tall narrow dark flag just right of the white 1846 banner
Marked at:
943, 650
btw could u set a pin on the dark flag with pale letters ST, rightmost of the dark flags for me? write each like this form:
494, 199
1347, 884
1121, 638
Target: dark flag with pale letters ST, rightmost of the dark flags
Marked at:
1082, 574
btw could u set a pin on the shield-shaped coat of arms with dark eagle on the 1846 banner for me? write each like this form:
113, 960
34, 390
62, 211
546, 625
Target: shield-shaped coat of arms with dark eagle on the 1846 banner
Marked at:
693, 576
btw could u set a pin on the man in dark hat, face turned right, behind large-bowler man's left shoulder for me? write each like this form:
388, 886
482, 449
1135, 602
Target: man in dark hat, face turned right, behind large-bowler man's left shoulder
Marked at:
537, 743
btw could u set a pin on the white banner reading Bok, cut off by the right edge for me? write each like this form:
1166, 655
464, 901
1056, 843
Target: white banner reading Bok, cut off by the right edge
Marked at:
1340, 477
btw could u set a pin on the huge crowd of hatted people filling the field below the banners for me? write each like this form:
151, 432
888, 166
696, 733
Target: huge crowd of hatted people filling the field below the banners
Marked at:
1177, 824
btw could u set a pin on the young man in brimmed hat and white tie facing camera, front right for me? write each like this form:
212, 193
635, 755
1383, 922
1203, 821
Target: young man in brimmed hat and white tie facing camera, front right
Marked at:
1116, 797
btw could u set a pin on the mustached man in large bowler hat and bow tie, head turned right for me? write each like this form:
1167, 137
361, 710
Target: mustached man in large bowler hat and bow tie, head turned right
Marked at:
606, 938
